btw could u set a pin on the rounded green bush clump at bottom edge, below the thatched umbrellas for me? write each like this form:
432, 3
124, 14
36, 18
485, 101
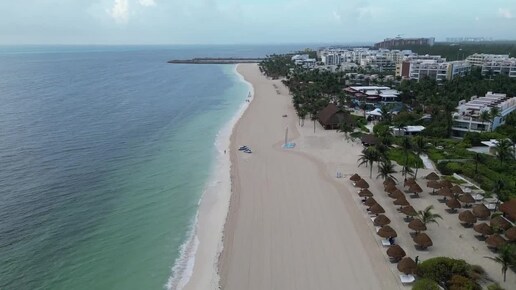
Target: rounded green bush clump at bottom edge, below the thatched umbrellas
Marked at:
450, 273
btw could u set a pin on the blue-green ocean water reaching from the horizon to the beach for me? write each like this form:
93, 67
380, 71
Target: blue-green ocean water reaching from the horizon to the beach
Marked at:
105, 152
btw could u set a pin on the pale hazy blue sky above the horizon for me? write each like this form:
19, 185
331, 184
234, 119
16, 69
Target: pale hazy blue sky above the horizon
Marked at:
250, 21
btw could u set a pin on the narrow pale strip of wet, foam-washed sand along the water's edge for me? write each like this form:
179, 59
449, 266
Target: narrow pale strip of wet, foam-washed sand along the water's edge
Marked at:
197, 265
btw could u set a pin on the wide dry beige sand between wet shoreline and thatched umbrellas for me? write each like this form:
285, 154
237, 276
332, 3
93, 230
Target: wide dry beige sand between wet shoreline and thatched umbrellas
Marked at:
290, 224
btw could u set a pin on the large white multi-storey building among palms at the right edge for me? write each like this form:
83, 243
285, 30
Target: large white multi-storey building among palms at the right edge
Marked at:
467, 118
